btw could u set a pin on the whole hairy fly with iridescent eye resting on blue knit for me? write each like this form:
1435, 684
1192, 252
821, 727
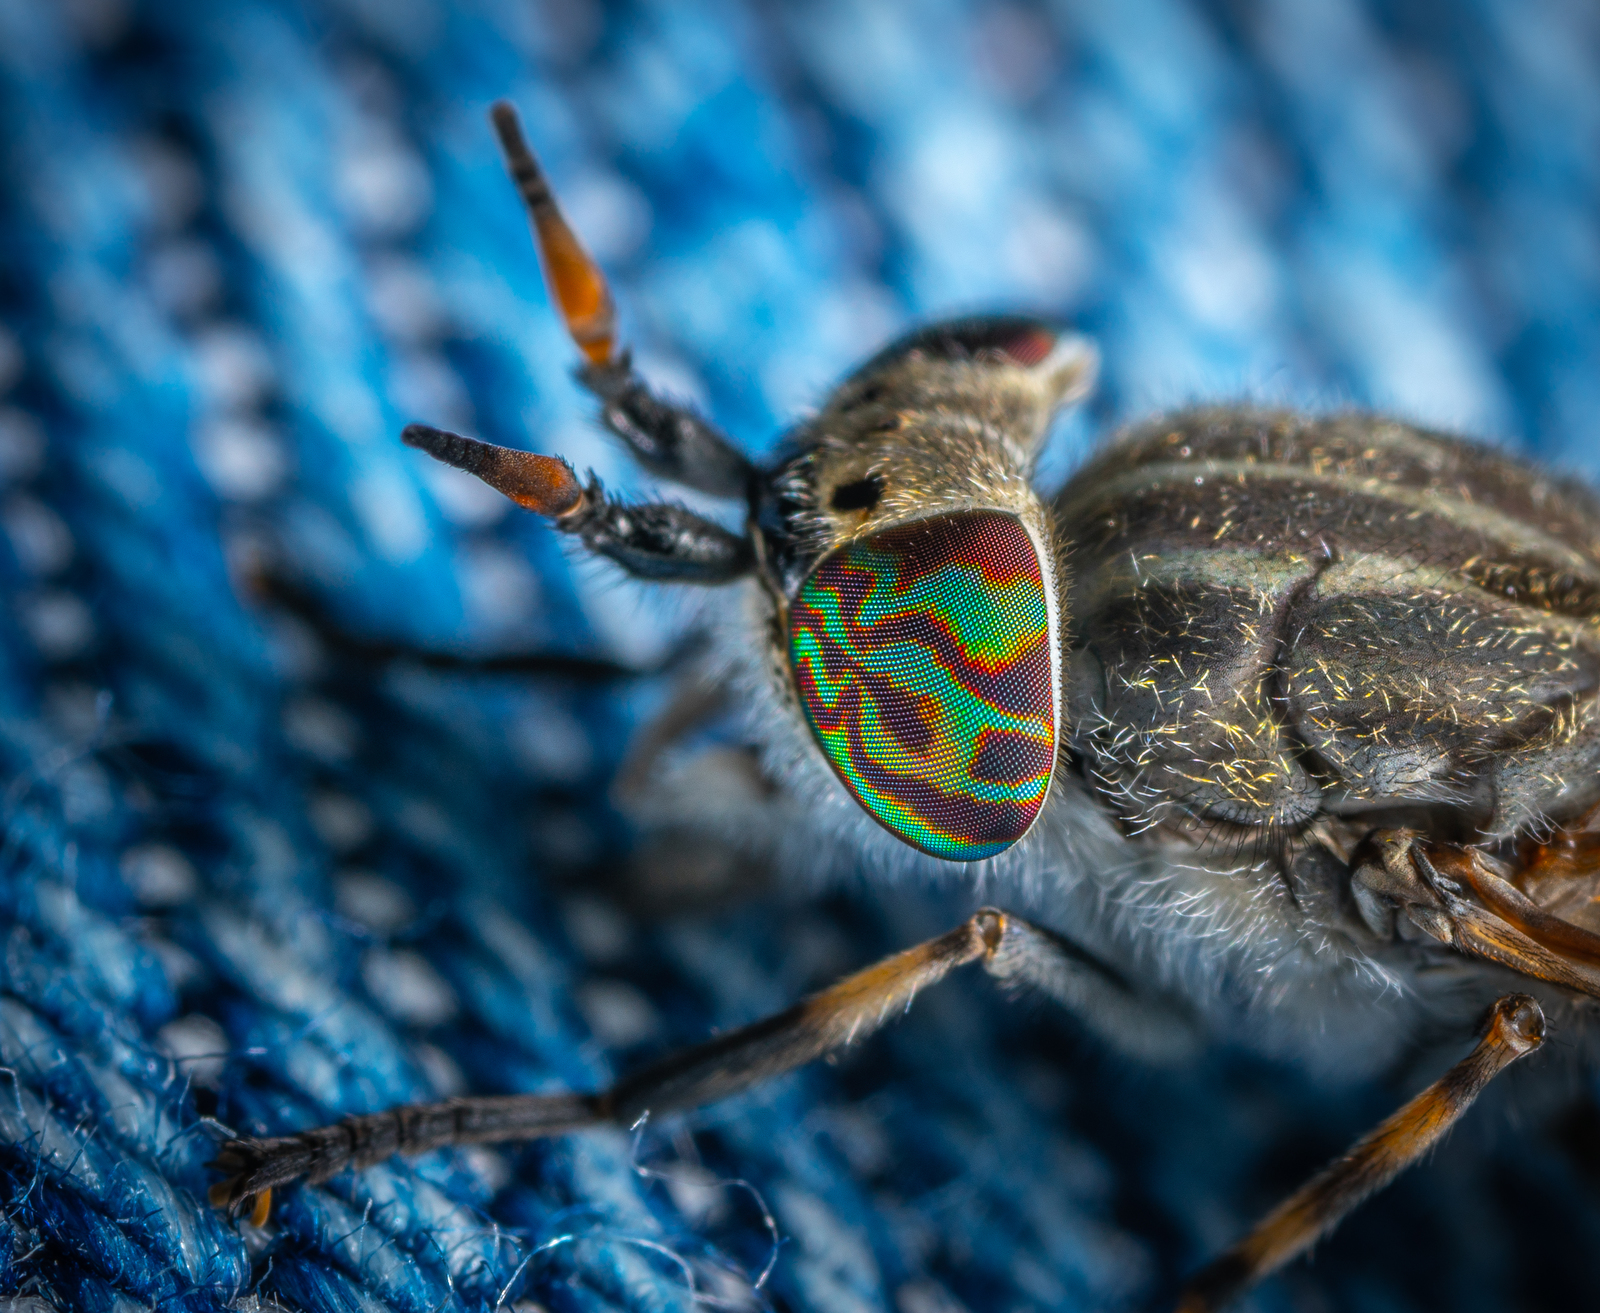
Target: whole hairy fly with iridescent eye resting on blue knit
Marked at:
1258, 706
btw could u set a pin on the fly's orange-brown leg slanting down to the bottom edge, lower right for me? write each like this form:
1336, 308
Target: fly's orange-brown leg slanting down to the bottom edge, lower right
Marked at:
1516, 1028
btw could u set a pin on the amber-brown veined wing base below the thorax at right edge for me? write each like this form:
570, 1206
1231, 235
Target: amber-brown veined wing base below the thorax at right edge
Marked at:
1430, 885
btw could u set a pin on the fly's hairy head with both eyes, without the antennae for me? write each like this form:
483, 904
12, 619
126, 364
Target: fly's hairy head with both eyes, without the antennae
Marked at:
916, 581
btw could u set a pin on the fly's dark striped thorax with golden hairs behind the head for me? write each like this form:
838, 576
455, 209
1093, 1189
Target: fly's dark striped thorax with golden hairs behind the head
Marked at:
1274, 617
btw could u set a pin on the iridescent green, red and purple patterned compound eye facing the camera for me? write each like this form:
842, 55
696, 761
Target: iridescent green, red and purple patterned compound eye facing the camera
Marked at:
922, 658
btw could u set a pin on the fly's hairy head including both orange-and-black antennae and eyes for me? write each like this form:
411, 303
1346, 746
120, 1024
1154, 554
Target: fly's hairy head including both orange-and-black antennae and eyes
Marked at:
911, 569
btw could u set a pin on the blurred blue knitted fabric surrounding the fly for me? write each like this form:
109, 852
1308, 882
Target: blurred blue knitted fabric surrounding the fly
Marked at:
247, 884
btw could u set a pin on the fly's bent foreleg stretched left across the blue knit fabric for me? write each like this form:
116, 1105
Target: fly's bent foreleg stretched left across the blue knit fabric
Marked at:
857, 1007
